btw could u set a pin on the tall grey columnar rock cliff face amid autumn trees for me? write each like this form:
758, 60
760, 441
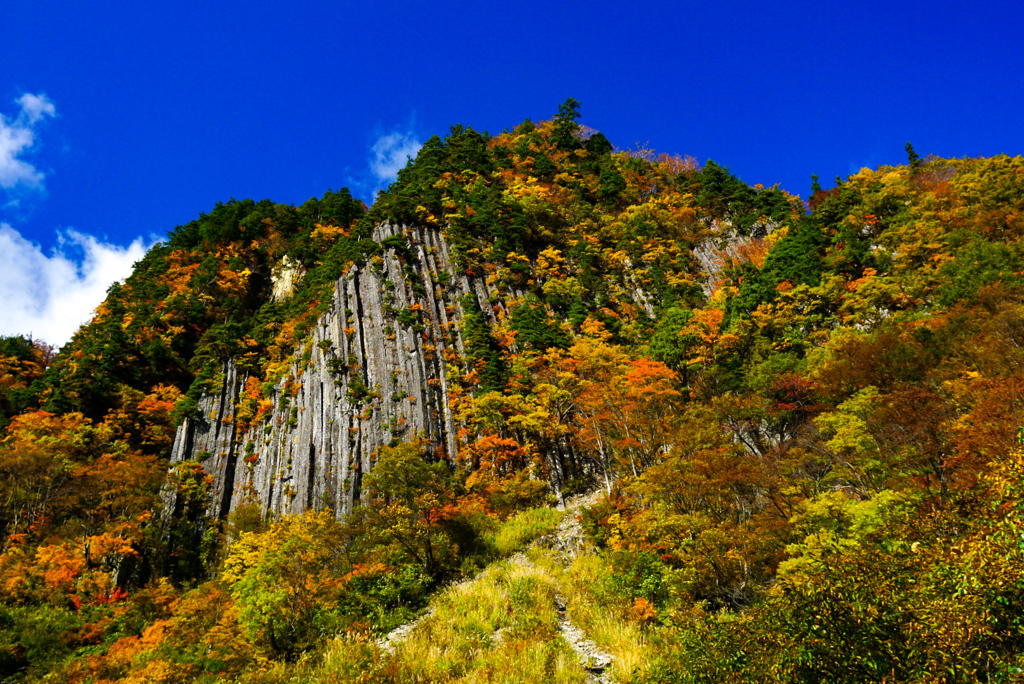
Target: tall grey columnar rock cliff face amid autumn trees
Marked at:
374, 370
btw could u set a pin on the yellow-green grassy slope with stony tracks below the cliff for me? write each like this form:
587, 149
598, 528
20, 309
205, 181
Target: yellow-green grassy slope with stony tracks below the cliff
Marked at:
503, 626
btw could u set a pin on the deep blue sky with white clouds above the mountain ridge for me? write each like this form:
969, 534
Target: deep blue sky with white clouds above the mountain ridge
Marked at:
144, 115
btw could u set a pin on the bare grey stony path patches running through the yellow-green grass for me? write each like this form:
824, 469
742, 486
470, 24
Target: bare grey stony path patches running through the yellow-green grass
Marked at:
567, 543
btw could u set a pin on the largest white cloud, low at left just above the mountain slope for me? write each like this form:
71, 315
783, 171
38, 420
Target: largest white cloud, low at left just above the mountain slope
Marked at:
52, 296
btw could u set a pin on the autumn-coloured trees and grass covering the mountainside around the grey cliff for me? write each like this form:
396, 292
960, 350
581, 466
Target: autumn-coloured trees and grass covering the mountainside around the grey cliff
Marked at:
806, 419
